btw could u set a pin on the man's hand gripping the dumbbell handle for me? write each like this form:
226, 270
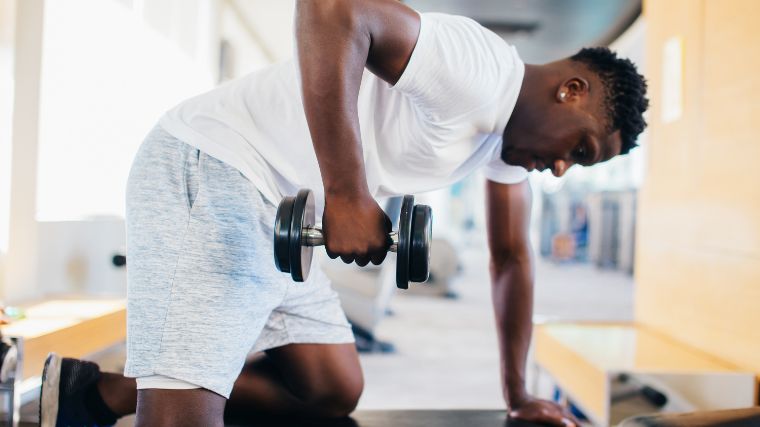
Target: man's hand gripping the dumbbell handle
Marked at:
356, 229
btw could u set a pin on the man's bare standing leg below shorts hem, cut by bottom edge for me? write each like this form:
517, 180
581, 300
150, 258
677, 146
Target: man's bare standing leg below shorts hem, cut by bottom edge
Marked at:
175, 408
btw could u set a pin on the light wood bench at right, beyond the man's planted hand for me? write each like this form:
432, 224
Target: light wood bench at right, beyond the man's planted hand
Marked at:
585, 359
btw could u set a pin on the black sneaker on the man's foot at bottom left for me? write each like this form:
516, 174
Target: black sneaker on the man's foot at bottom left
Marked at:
63, 395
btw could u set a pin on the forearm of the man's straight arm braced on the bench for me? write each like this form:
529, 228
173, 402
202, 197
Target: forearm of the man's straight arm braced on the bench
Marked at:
512, 293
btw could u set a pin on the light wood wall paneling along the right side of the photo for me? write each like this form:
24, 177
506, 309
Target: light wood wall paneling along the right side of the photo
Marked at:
698, 245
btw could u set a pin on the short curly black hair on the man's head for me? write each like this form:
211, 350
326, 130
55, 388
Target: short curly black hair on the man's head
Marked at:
624, 92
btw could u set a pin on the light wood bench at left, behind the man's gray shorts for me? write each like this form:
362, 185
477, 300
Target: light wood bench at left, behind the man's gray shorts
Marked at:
72, 328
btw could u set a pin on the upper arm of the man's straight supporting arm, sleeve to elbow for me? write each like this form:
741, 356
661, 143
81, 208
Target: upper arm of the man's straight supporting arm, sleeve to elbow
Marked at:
508, 220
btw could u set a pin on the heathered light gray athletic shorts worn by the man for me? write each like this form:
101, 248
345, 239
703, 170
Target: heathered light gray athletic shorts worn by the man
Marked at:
203, 290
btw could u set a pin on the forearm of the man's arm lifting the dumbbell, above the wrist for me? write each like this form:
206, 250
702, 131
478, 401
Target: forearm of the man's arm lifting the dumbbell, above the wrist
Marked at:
332, 53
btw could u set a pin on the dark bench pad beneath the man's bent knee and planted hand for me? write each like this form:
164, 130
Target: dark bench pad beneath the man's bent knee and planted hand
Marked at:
415, 418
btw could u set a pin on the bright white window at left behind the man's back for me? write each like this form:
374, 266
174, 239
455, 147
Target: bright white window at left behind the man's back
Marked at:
107, 77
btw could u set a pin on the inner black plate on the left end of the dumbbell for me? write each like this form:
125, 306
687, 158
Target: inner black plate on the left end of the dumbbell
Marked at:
303, 216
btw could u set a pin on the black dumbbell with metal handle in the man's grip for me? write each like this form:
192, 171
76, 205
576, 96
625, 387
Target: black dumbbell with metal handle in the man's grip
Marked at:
296, 234
